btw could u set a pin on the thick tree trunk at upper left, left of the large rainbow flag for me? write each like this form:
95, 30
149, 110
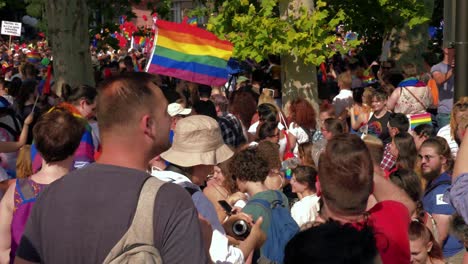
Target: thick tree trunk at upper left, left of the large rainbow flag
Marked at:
68, 35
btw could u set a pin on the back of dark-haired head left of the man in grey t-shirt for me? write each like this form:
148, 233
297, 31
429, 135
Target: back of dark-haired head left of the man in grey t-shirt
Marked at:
57, 135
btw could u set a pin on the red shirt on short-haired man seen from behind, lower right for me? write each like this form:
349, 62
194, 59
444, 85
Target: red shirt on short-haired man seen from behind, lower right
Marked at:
390, 220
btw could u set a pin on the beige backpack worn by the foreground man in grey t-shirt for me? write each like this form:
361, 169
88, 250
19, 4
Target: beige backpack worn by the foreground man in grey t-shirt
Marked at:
137, 245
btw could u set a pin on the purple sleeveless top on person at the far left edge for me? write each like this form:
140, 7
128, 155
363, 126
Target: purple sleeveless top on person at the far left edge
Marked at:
26, 193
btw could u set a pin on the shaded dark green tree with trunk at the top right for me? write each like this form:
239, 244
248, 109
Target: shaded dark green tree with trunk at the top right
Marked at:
404, 22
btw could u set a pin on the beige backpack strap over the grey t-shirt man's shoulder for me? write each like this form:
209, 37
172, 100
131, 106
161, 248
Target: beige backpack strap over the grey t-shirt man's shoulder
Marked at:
141, 230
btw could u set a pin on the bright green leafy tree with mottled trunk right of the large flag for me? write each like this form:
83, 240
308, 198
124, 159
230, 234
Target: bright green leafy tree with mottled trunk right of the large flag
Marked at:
297, 30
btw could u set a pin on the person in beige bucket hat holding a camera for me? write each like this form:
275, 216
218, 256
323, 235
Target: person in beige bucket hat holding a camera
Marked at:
197, 147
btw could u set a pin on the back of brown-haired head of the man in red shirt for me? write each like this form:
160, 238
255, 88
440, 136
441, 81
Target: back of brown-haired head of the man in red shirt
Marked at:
346, 175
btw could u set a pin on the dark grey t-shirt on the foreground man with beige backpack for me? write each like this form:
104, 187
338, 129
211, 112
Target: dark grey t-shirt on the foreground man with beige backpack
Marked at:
80, 217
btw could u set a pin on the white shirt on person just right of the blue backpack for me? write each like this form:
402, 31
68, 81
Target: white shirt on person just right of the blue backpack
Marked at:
305, 210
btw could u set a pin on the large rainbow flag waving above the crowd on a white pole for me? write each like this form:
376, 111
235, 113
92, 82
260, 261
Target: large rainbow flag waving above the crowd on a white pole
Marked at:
189, 53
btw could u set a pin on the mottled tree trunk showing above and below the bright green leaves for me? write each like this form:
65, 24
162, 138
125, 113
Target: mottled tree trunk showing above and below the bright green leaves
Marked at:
299, 80
